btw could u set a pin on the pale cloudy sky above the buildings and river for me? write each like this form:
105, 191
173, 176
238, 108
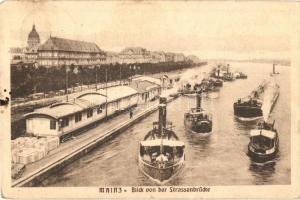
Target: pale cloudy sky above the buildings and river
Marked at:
210, 30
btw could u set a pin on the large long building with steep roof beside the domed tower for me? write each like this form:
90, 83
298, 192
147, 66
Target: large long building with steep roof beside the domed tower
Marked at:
65, 52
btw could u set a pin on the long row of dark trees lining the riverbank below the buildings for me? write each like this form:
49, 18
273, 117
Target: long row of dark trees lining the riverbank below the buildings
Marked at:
27, 79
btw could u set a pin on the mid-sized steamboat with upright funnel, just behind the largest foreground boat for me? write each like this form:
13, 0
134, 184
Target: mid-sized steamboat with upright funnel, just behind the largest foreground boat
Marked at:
197, 120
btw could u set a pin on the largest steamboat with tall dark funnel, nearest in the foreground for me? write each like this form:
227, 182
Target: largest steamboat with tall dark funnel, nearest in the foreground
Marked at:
161, 154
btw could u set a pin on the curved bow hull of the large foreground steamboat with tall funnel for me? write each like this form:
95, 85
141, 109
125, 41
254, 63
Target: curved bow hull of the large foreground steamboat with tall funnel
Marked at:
160, 175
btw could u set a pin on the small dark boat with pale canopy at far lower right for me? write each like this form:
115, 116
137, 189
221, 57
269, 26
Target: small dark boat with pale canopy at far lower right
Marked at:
264, 142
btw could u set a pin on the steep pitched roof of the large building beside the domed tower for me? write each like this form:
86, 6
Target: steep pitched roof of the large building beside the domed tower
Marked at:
61, 44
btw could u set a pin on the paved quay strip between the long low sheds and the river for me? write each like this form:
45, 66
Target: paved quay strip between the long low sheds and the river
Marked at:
81, 145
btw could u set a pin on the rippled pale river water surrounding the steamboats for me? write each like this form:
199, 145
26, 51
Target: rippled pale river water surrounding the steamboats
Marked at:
217, 160
